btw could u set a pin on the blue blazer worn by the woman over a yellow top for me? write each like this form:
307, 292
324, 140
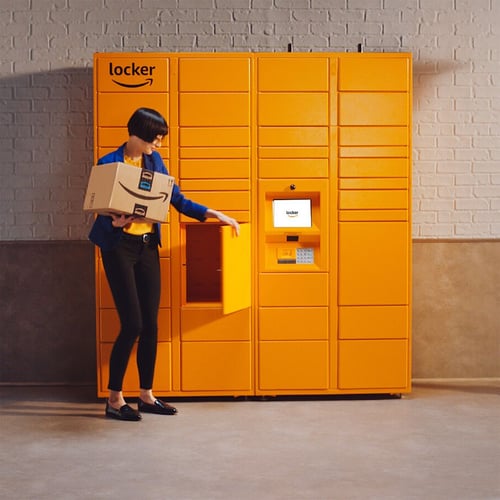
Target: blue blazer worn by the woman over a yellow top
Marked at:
106, 236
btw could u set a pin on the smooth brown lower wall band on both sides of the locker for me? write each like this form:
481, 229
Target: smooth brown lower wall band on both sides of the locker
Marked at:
48, 318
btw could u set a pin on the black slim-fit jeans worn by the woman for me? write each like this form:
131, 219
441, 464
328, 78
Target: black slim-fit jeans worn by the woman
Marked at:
133, 272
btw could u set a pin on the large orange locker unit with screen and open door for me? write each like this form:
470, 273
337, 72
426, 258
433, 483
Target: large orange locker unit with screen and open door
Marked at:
311, 154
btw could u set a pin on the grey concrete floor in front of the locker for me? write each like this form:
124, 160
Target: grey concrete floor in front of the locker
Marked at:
440, 442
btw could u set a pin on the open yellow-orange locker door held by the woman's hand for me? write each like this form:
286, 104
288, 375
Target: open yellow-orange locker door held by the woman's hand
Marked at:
236, 269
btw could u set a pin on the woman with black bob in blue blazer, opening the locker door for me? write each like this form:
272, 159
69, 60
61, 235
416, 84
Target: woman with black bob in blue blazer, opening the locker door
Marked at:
129, 249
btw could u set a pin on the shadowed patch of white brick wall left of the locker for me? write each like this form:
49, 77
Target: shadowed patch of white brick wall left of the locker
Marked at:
46, 151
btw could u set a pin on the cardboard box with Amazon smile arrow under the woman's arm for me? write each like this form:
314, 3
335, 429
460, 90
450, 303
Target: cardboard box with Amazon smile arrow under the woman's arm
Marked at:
125, 189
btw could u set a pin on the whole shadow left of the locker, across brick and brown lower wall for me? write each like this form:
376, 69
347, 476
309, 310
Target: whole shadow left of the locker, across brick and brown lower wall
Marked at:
47, 308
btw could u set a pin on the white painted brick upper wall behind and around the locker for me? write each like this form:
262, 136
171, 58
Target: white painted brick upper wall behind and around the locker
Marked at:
46, 92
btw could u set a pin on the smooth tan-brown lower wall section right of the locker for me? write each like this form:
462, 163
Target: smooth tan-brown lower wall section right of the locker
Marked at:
456, 309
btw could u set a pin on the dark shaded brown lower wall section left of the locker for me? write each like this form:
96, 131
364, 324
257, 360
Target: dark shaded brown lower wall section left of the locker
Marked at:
47, 313
